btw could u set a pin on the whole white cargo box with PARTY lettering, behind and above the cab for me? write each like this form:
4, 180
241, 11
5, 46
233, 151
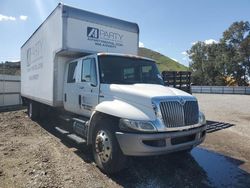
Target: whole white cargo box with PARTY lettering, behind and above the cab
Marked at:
66, 34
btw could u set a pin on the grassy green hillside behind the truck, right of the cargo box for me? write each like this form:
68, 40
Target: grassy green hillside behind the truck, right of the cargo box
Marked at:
163, 62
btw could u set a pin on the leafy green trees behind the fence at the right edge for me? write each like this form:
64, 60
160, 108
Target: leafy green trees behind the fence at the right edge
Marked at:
213, 64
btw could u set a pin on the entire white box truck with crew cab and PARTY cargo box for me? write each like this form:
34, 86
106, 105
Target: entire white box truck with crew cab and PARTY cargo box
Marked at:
85, 65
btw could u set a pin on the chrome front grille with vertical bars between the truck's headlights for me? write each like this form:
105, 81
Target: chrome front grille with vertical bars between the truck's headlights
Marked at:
175, 114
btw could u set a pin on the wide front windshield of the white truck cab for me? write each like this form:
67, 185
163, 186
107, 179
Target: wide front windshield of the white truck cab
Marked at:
128, 70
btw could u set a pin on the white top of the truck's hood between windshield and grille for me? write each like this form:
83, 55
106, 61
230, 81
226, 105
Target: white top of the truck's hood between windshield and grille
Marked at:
140, 93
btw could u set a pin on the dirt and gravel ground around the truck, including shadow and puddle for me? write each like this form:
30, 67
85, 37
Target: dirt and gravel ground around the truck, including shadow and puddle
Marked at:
32, 154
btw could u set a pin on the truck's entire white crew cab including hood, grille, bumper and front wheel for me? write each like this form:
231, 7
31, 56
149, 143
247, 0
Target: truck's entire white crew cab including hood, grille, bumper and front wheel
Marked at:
128, 110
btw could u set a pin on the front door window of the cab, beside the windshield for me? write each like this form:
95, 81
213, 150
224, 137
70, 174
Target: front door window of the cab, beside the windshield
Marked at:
89, 71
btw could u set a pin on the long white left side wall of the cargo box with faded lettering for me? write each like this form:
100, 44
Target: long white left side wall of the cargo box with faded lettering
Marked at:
38, 60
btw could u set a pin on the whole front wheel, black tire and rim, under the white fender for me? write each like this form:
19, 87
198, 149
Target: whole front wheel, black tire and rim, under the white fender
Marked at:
106, 150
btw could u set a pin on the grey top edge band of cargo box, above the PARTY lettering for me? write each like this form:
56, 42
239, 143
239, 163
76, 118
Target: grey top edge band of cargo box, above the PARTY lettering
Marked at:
73, 12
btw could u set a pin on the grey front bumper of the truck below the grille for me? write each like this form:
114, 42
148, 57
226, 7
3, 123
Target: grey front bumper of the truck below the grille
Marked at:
134, 144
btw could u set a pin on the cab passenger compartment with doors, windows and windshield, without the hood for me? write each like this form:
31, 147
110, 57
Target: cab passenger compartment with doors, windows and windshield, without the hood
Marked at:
87, 79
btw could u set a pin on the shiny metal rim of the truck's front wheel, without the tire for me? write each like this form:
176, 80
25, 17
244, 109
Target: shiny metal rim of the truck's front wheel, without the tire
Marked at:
103, 146
